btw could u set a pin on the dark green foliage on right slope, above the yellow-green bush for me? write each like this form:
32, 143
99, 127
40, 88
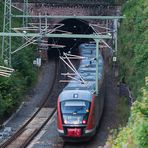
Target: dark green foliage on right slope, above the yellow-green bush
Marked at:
133, 44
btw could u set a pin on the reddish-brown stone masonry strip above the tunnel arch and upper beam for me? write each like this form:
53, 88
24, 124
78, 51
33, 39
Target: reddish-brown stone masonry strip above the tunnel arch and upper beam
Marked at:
36, 9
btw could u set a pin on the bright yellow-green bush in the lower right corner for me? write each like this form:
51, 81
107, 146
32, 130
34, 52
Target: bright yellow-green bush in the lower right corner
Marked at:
136, 132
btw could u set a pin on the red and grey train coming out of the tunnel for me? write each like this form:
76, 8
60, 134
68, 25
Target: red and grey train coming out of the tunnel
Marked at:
79, 109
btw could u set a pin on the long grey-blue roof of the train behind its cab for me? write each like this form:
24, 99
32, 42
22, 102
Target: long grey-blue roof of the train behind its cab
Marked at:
87, 71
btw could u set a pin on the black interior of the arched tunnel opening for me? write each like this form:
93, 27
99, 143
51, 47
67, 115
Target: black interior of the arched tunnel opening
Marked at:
73, 26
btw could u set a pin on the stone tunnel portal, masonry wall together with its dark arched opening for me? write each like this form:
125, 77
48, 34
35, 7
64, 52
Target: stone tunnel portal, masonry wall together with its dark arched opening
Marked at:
71, 26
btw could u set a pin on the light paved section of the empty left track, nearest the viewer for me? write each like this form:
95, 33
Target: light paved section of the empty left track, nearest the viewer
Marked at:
27, 134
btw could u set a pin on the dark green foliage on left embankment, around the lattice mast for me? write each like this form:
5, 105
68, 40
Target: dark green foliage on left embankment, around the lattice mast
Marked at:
12, 89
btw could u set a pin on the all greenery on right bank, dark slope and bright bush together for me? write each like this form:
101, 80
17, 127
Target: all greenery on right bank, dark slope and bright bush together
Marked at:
133, 56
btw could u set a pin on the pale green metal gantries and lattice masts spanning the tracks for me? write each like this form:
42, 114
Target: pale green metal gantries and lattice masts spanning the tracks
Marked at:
43, 31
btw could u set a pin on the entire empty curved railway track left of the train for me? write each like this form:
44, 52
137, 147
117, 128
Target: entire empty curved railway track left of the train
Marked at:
35, 124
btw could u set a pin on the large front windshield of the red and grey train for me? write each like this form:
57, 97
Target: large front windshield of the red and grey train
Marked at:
75, 112
